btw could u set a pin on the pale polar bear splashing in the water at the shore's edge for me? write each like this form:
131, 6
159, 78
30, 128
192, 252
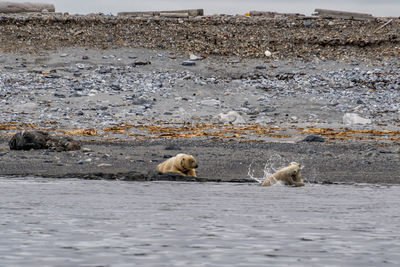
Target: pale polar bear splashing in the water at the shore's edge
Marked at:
290, 175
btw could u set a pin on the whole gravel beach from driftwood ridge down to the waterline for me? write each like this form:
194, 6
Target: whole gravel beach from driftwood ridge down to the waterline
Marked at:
133, 104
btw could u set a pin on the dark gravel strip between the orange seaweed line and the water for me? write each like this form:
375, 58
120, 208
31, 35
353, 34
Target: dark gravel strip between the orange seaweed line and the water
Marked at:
230, 161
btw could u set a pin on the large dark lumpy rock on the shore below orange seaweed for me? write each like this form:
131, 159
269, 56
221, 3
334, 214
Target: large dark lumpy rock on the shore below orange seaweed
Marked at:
27, 140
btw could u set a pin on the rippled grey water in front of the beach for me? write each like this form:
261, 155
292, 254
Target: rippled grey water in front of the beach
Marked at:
78, 222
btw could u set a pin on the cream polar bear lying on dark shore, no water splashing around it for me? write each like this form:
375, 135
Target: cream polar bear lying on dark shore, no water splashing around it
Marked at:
182, 163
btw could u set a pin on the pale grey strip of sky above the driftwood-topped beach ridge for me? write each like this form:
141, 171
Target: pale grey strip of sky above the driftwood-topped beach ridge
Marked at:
375, 7
